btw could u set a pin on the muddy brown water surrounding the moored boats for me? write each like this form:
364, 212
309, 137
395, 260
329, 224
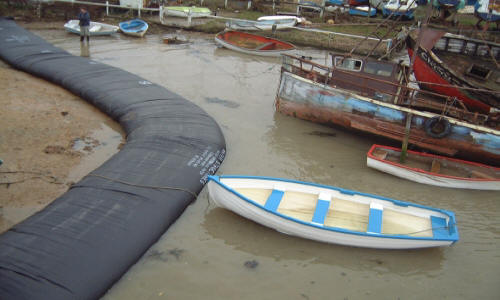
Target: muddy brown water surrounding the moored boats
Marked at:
211, 253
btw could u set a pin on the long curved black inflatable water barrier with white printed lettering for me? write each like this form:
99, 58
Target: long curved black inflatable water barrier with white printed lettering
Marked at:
80, 244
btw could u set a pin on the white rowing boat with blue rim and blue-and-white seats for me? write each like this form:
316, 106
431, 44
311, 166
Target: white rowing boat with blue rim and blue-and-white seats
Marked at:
334, 215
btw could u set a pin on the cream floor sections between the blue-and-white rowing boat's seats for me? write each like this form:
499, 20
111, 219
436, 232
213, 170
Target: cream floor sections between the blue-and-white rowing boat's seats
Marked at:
342, 213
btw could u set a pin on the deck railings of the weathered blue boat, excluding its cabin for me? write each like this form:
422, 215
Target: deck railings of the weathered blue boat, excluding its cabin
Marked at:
405, 96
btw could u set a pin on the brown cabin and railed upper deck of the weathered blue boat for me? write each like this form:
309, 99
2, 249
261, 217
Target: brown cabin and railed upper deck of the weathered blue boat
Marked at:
384, 81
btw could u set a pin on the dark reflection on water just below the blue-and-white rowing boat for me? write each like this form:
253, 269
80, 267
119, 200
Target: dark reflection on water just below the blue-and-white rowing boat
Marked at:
241, 234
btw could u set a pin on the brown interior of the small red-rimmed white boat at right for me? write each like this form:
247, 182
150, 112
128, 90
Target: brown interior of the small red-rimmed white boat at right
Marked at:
438, 166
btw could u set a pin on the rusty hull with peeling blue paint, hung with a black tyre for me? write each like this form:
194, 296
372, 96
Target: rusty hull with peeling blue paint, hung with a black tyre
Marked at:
309, 100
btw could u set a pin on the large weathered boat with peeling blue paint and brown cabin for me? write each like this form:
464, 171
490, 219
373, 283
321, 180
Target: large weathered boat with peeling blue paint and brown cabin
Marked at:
373, 96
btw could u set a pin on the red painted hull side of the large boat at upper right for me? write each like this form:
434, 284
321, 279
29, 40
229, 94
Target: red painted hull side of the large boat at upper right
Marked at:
423, 72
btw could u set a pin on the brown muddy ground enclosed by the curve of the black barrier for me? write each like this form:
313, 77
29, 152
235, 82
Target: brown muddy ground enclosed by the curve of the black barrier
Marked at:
49, 139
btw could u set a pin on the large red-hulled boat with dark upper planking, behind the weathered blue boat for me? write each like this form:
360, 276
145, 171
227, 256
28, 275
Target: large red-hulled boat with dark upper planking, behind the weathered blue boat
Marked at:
458, 66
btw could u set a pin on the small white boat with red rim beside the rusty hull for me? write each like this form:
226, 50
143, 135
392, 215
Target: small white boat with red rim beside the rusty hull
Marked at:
434, 169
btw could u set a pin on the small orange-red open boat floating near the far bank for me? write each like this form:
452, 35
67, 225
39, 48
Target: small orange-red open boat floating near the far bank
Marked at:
252, 44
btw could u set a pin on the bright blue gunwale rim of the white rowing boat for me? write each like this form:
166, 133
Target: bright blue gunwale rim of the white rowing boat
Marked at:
454, 237
